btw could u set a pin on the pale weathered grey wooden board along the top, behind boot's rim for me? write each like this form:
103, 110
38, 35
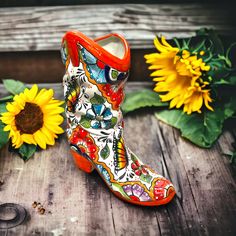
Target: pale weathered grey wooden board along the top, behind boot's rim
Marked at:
41, 28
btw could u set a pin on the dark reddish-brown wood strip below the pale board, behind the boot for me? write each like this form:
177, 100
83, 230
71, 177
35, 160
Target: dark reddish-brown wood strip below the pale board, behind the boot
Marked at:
47, 67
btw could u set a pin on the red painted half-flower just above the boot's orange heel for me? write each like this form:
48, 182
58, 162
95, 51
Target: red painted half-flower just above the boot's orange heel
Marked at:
84, 142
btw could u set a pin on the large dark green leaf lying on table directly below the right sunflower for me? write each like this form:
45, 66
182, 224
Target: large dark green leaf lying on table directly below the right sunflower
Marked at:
201, 129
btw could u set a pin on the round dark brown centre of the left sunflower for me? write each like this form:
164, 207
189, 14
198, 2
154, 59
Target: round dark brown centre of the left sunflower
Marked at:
30, 119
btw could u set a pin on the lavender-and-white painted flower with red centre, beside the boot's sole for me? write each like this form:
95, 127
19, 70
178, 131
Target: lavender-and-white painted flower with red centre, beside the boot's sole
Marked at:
136, 193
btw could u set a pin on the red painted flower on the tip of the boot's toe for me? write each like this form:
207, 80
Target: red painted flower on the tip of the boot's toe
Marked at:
162, 188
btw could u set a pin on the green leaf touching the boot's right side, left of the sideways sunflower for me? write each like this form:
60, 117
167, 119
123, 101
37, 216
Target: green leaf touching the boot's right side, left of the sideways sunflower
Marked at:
141, 98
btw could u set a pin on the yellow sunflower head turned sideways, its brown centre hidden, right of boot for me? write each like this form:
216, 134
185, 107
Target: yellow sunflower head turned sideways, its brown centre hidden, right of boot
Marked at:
179, 75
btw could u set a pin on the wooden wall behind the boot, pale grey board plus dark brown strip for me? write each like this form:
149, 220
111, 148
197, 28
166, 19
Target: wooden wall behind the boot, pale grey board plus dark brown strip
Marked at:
30, 36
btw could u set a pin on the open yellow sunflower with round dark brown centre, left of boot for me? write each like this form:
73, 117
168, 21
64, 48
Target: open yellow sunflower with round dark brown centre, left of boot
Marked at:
33, 117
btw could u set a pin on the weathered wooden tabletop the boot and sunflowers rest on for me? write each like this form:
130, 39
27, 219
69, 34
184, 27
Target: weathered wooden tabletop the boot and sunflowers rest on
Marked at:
80, 204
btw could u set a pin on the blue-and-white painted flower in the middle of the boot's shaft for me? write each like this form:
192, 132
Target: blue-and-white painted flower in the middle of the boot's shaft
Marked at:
100, 116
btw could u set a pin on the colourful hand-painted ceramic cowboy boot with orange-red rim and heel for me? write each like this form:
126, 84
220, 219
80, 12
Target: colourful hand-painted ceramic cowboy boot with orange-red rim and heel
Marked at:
96, 71
